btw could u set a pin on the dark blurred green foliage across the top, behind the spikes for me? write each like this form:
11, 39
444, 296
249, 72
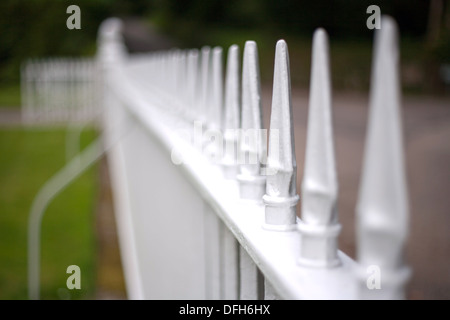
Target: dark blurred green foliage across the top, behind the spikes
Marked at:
37, 28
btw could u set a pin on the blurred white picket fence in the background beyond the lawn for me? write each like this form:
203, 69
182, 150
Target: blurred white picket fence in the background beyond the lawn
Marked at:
60, 91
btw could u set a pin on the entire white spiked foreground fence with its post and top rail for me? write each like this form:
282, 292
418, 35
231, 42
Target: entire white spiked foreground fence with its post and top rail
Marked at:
206, 212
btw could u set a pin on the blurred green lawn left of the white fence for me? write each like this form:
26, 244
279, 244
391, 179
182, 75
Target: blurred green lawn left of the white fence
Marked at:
29, 157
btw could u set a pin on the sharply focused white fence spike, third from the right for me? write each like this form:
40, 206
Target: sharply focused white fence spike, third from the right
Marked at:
281, 193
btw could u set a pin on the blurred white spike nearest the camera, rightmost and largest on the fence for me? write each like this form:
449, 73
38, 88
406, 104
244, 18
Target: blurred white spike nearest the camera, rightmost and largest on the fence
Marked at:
382, 209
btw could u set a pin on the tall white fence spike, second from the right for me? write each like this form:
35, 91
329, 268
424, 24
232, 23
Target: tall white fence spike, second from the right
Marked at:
319, 227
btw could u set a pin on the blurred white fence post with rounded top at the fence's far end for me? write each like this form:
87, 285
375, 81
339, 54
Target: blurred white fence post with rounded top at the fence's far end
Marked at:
111, 55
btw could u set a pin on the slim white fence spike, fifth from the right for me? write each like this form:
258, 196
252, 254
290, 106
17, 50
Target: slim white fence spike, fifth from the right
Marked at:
231, 120
